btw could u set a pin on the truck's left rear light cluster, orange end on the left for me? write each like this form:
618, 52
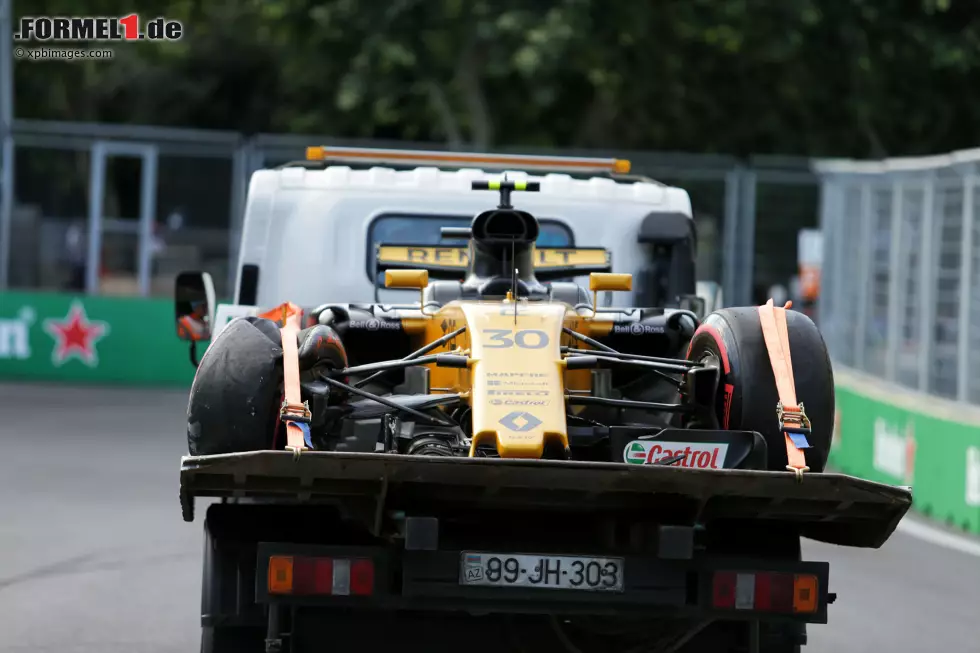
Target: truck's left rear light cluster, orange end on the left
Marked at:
313, 576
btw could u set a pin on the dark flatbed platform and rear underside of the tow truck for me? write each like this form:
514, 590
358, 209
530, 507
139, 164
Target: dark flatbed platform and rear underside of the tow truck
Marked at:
418, 519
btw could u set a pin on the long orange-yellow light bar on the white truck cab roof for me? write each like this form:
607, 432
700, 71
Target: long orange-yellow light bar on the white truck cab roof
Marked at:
466, 159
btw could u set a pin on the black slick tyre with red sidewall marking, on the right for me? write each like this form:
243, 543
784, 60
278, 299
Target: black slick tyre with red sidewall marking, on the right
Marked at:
747, 393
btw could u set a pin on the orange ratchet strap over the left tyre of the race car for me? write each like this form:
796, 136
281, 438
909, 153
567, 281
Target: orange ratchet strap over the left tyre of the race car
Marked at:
295, 414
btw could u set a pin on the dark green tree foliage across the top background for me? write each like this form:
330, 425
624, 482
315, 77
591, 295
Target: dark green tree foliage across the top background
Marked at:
842, 78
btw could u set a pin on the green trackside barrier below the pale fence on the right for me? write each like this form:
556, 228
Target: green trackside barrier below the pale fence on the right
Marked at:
892, 435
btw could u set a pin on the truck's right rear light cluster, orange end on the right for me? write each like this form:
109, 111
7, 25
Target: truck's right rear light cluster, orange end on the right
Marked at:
765, 592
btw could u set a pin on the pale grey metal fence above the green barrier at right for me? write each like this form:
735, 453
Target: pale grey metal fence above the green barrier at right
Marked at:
901, 270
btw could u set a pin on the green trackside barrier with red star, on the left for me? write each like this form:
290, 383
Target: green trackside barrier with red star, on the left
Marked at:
100, 340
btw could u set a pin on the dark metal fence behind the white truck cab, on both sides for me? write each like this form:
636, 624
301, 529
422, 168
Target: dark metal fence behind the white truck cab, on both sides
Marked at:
119, 209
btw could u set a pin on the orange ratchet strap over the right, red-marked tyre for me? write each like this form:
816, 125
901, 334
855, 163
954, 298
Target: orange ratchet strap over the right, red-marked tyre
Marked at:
793, 422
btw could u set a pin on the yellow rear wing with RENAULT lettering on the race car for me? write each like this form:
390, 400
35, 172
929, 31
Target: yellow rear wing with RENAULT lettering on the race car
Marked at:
451, 262
